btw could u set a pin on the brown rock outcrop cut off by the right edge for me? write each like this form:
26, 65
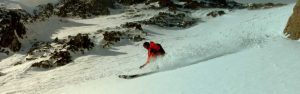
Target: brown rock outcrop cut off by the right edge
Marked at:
292, 29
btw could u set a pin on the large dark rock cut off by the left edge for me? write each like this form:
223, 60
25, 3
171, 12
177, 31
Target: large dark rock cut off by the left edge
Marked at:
11, 28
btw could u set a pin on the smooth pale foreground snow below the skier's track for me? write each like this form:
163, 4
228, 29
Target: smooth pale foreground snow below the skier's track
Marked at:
255, 71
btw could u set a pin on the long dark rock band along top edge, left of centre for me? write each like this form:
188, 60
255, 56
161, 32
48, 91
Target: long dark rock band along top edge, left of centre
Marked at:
74, 8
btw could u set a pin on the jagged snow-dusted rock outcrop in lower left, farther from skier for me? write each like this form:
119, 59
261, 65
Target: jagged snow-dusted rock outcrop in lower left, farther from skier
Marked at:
58, 52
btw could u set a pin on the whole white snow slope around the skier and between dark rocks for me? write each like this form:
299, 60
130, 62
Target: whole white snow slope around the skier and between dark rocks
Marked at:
241, 52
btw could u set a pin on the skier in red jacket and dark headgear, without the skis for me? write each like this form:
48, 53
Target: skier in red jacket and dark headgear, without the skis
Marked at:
154, 50
